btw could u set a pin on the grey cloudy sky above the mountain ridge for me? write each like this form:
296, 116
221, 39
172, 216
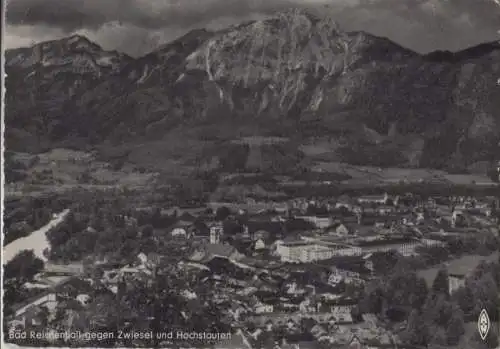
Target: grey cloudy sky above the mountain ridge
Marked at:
138, 26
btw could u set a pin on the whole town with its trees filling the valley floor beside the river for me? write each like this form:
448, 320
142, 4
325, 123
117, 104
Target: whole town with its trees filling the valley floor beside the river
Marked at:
349, 271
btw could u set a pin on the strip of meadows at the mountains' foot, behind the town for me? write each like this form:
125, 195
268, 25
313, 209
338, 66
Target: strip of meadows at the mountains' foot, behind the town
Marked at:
179, 158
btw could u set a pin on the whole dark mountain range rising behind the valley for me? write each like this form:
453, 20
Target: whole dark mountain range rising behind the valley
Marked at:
276, 94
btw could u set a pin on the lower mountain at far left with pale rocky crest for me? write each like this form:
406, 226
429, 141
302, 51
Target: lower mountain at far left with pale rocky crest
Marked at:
43, 80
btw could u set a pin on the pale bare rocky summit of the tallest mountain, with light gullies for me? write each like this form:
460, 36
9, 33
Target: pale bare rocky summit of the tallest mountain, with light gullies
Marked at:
293, 51
